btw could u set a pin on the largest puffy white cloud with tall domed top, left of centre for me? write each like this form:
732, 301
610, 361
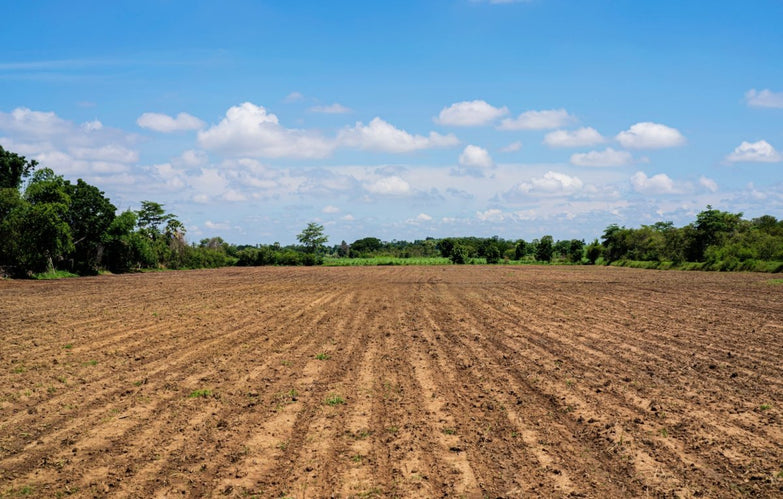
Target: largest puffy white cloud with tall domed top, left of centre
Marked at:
248, 130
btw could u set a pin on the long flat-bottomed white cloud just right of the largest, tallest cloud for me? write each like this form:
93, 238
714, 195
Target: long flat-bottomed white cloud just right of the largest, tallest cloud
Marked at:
379, 135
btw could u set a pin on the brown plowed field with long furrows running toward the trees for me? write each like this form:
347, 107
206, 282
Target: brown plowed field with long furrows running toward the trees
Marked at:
395, 381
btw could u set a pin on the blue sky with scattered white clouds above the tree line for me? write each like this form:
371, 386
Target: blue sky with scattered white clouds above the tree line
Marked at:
403, 119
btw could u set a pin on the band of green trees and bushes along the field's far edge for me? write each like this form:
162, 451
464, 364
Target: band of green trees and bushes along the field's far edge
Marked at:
50, 227
